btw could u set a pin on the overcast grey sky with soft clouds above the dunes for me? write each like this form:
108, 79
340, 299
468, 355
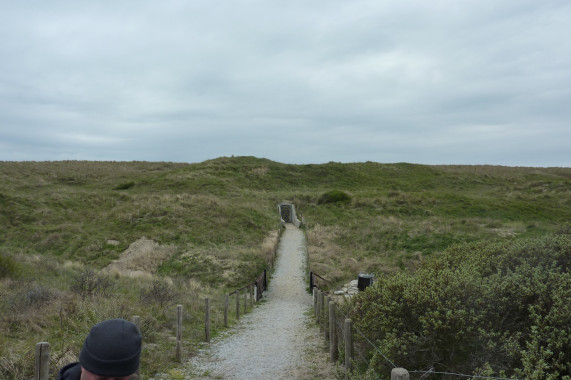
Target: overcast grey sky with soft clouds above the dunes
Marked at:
432, 82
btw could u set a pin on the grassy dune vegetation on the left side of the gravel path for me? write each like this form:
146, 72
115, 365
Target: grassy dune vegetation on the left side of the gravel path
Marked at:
86, 241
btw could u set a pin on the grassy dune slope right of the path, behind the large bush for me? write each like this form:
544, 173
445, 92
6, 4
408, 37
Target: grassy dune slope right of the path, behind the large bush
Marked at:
400, 213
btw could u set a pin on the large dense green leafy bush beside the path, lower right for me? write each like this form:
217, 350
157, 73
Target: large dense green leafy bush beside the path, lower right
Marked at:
501, 308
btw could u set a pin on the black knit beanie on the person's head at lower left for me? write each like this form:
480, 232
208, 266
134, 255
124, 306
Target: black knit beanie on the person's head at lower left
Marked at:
112, 348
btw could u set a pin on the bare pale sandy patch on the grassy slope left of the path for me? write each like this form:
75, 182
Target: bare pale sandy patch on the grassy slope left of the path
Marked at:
142, 258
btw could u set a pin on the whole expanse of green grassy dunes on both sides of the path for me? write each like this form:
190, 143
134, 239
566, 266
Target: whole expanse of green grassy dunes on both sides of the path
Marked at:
66, 226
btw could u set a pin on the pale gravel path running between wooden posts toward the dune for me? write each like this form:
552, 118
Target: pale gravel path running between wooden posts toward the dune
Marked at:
278, 339
